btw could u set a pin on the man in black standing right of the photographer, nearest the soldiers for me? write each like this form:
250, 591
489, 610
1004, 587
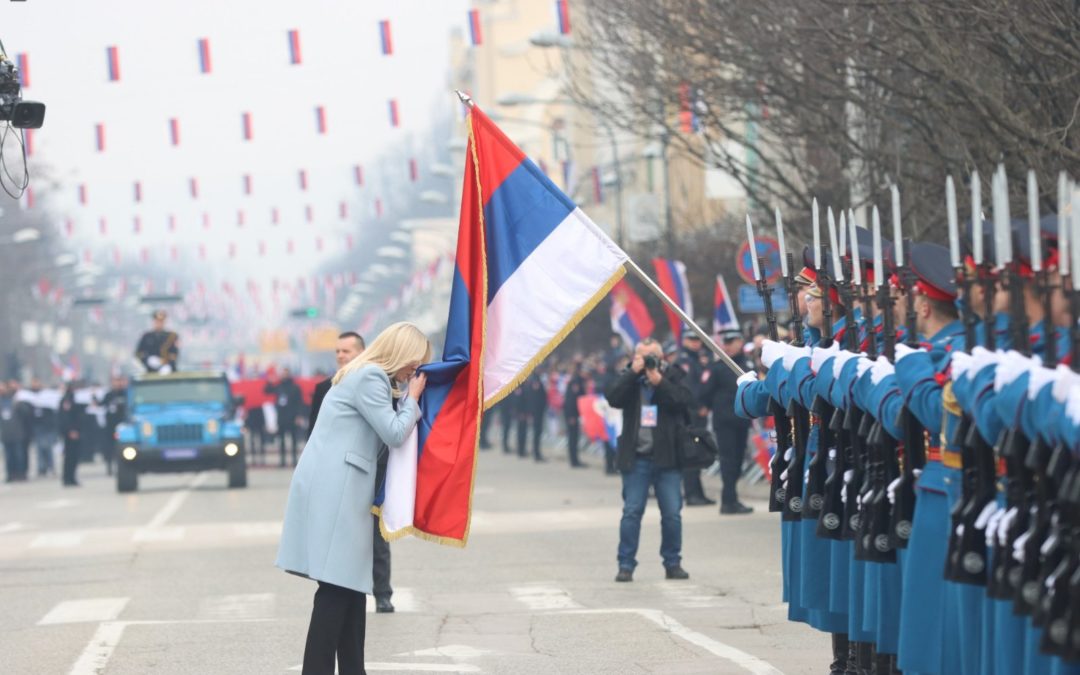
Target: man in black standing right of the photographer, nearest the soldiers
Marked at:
731, 430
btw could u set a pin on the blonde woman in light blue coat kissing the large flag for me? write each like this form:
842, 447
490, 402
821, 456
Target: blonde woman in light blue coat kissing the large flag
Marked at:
328, 532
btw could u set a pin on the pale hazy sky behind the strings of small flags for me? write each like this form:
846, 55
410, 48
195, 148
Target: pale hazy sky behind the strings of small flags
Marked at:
343, 70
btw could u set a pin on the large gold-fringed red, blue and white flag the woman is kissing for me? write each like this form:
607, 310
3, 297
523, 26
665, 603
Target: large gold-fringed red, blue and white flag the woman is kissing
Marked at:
530, 266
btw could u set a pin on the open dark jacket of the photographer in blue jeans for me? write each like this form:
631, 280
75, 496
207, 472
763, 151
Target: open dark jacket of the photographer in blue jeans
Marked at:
672, 400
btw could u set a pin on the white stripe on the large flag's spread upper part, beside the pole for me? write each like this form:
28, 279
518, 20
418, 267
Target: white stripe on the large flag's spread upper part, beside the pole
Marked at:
544, 295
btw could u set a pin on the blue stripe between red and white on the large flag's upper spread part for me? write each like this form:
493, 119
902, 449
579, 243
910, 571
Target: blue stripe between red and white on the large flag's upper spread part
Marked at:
518, 218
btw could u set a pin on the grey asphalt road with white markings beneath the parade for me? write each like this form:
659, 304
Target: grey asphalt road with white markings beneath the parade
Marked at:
179, 579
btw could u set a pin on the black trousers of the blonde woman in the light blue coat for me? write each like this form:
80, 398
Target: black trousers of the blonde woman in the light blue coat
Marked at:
339, 624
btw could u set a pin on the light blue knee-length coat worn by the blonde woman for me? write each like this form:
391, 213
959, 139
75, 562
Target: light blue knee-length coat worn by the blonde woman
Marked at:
328, 533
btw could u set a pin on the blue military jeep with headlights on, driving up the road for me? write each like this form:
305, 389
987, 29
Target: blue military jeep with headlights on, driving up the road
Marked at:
180, 423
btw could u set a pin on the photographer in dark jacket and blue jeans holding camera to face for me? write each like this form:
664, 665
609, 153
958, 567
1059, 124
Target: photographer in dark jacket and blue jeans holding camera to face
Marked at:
654, 402
